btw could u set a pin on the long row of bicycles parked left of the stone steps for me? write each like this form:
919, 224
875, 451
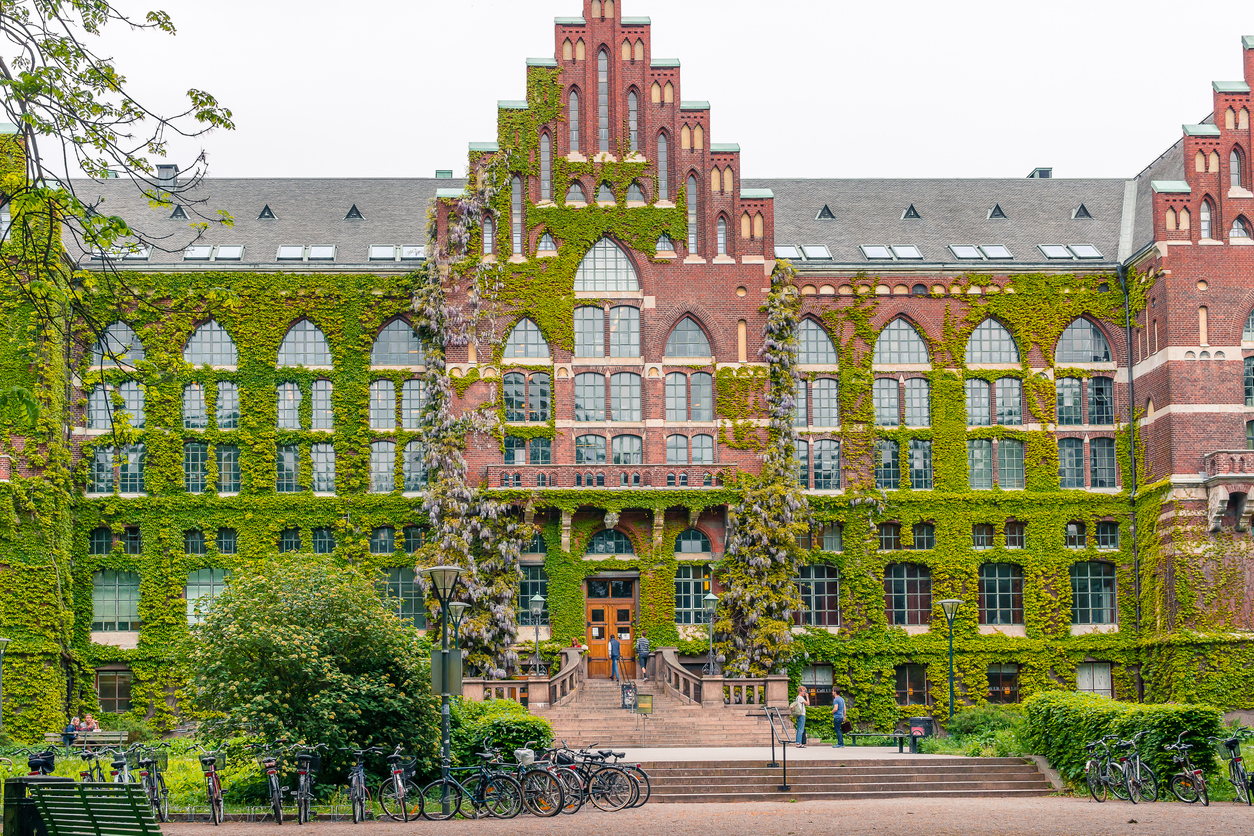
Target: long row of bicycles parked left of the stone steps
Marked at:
545, 783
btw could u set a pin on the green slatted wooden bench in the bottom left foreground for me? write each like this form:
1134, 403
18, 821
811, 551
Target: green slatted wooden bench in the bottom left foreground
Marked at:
95, 809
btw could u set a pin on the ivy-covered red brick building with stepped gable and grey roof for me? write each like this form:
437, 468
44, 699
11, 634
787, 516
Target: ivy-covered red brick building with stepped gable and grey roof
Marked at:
608, 370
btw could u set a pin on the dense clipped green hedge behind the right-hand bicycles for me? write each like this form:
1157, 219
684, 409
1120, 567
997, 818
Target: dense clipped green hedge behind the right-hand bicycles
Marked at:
1059, 725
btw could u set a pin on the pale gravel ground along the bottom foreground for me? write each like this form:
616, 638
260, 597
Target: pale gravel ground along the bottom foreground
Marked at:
1049, 817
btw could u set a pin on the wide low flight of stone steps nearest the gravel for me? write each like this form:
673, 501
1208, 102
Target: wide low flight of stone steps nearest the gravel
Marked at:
950, 778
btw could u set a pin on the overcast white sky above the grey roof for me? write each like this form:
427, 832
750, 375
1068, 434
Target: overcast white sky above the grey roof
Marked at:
814, 88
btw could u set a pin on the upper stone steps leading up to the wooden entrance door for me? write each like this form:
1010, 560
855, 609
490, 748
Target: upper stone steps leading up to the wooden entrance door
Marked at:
596, 718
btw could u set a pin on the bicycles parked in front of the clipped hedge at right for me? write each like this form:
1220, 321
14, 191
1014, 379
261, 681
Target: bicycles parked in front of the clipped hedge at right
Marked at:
1115, 768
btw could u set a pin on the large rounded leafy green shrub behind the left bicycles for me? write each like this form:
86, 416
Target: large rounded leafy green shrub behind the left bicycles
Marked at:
307, 651
